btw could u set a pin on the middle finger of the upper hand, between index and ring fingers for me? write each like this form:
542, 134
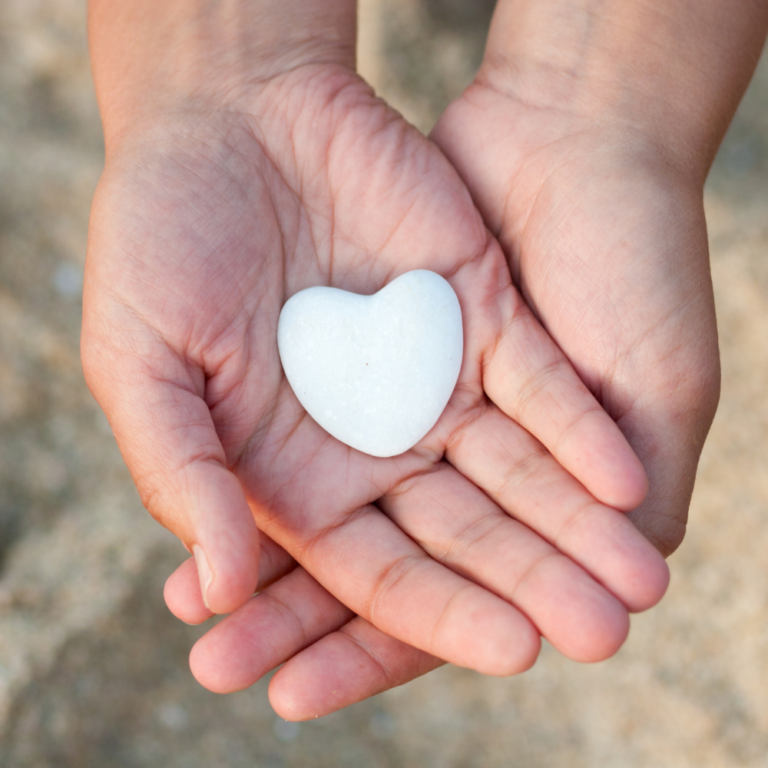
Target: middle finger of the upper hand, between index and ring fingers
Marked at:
461, 527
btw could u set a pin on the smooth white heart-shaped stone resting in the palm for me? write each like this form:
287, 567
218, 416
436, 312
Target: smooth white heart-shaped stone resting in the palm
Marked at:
375, 371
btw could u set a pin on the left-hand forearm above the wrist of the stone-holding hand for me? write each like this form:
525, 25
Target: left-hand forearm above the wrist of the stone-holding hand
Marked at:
148, 56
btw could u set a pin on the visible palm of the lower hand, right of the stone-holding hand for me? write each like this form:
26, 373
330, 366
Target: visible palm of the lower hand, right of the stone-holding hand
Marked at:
608, 244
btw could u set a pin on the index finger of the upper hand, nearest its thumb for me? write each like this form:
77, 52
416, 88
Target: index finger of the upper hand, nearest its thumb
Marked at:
395, 586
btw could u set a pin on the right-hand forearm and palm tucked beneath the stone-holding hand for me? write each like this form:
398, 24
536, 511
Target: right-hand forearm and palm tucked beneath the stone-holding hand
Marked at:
585, 141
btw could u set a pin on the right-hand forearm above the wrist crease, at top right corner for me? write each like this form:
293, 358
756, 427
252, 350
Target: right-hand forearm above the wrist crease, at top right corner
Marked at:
674, 70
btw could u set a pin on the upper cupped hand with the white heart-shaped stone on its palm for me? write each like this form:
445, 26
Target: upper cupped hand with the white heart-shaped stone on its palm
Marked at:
496, 527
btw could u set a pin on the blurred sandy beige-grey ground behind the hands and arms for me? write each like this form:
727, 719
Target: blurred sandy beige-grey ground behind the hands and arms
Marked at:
93, 669
